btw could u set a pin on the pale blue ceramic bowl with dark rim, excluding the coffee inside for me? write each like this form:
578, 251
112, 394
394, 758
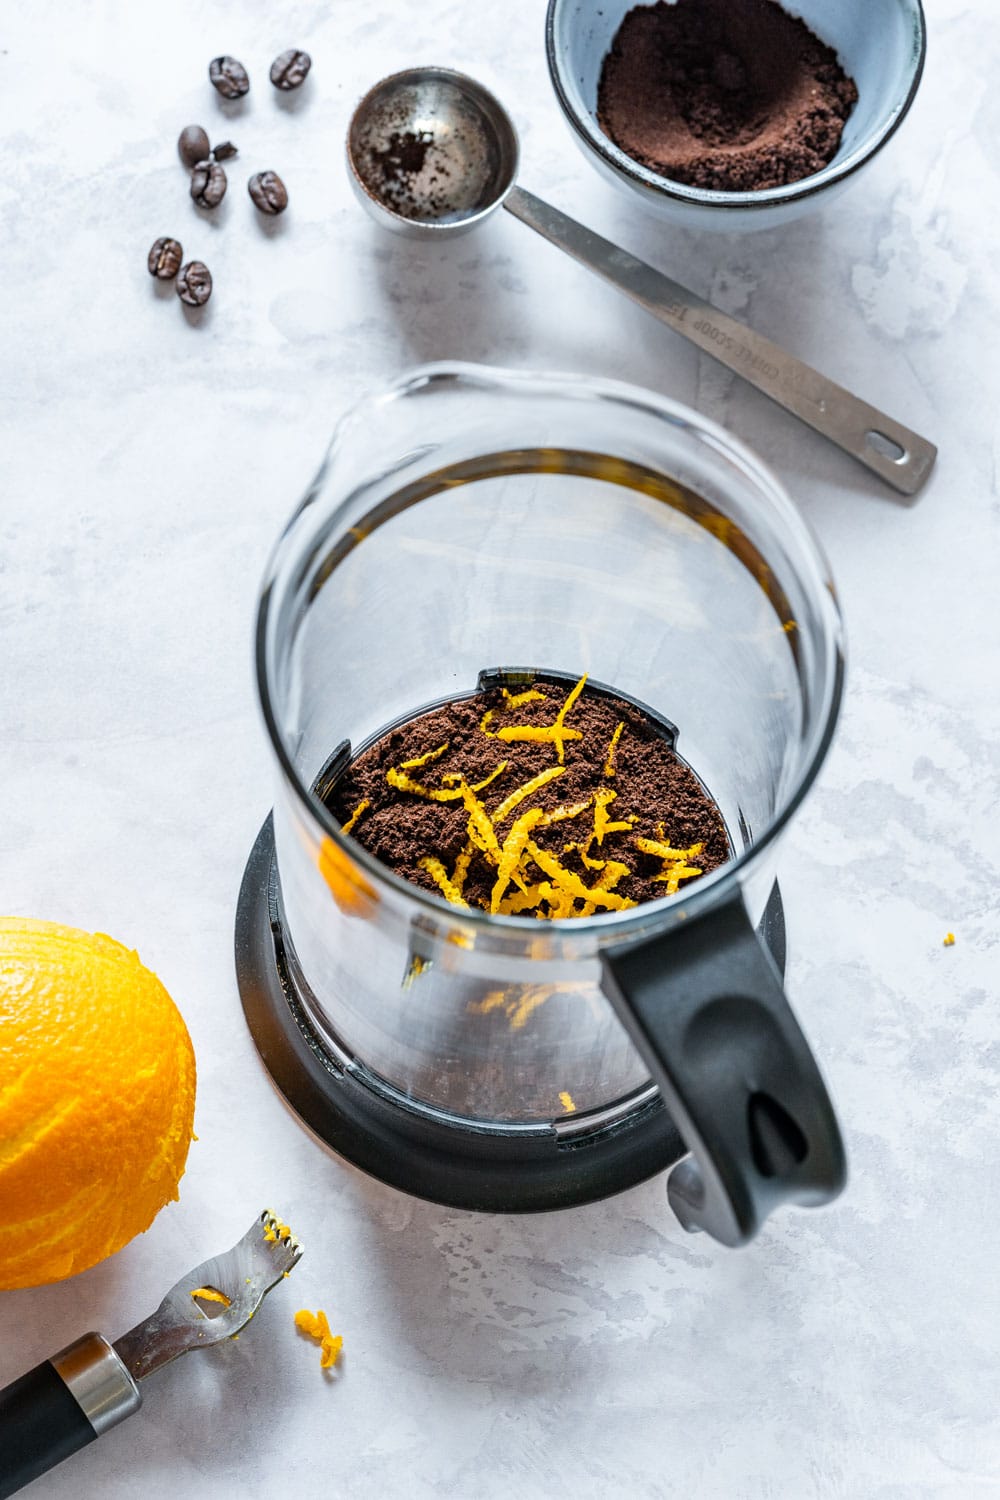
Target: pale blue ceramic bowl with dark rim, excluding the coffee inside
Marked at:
881, 46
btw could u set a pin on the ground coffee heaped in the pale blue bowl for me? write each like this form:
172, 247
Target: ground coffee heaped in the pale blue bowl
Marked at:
729, 95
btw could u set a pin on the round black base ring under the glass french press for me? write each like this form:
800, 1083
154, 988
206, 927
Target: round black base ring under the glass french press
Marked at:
365, 1121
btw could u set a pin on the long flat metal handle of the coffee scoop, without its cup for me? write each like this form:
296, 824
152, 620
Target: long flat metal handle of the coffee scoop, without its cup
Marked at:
897, 455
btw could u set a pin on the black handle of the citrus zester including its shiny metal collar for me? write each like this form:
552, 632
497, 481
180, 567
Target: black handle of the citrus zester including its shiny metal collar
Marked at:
59, 1408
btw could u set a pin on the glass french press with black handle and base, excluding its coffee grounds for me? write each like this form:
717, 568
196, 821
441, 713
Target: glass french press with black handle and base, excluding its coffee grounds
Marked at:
472, 521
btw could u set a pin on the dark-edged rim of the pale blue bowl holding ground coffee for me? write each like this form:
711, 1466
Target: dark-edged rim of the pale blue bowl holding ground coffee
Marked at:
626, 166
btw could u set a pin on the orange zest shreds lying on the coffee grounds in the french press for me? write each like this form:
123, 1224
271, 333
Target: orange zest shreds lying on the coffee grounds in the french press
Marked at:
530, 880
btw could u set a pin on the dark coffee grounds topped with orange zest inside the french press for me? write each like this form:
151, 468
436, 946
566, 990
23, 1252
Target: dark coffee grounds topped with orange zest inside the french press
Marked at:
591, 812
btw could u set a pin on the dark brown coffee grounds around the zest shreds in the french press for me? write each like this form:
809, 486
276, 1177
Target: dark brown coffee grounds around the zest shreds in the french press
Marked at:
656, 794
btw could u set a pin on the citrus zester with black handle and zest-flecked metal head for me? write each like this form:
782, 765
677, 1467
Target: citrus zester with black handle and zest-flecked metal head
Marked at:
91, 1387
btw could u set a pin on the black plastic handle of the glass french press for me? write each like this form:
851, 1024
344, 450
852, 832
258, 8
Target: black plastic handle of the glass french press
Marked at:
705, 1007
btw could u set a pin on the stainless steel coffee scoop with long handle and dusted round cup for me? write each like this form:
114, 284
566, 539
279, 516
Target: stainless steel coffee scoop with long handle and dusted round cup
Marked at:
433, 154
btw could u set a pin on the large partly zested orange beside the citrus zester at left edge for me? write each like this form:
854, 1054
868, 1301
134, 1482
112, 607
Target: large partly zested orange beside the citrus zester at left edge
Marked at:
97, 1100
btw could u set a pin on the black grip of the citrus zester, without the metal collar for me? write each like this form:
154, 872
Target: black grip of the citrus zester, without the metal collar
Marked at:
41, 1424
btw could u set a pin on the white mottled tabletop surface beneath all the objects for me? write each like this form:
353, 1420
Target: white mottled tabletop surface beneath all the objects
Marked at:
148, 464
